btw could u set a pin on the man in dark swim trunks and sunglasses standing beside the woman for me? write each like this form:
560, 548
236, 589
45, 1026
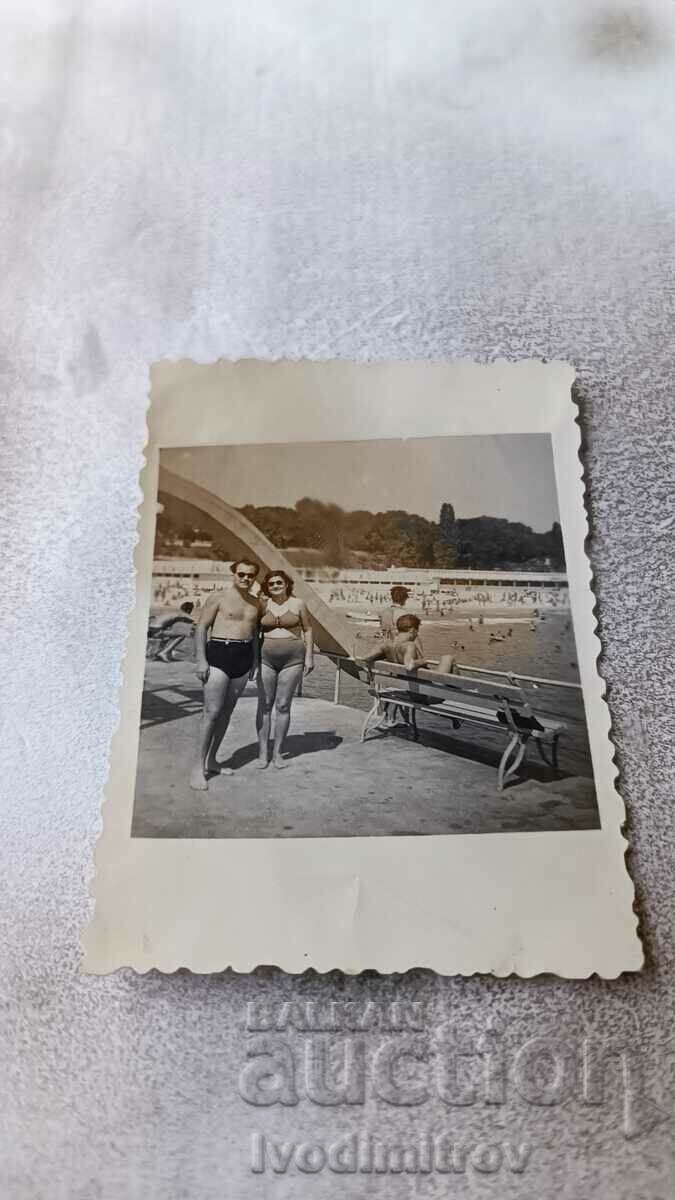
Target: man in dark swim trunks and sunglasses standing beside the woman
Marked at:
228, 656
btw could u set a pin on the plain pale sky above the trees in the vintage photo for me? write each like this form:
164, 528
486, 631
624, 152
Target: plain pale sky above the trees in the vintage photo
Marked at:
506, 476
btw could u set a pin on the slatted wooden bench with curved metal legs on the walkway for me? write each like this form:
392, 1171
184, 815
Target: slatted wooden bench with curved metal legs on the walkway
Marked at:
463, 699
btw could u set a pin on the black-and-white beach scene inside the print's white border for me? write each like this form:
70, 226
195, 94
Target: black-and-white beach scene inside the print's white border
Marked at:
362, 639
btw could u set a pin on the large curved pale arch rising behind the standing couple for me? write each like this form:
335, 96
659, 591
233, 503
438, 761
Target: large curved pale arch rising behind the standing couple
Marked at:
207, 512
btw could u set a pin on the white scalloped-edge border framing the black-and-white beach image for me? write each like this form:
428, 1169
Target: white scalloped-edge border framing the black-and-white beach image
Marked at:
459, 904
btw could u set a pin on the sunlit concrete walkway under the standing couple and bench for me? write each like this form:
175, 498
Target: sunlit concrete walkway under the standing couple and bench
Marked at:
334, 787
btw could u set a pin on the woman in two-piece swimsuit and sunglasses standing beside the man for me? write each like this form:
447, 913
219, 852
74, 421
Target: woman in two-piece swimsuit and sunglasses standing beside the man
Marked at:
286, 653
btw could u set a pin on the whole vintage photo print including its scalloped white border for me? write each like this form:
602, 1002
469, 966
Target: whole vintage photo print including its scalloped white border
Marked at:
362, 718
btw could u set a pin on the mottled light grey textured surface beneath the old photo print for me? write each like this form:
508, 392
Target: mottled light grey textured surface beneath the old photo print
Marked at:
301, 179
